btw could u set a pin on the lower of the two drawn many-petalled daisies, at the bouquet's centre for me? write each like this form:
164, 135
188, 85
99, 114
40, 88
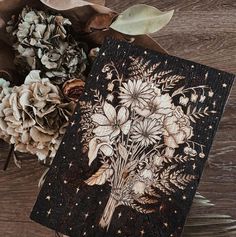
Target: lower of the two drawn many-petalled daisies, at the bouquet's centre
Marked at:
147, 131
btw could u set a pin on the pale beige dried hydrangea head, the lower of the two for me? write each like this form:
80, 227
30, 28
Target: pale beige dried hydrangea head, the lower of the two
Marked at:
35, 116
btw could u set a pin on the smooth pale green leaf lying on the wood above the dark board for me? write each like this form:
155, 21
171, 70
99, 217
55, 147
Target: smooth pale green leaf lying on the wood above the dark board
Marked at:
141, 19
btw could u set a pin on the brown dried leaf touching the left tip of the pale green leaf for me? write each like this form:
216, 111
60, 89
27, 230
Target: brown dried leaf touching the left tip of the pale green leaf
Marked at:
99, 22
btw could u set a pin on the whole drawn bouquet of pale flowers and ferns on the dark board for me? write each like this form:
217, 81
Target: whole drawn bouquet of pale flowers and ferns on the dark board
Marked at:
138, 141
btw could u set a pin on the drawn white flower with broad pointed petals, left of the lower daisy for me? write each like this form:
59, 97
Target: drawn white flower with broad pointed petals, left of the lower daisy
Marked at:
111, 123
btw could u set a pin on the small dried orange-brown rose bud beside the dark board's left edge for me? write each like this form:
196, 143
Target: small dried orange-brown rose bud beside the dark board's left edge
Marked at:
73, 89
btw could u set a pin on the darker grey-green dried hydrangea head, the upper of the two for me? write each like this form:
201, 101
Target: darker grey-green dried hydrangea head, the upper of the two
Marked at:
43, 41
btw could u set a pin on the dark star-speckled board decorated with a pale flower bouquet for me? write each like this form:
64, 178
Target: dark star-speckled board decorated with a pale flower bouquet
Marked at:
132, 157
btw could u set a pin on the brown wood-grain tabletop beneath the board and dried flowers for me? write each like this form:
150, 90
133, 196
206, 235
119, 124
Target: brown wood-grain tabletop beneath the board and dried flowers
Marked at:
201, 30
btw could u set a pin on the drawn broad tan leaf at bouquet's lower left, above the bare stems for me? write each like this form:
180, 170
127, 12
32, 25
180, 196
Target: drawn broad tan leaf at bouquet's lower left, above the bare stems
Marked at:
101, 176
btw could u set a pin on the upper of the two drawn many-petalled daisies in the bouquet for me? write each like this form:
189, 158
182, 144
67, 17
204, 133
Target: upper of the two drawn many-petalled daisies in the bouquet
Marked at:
135, 93
